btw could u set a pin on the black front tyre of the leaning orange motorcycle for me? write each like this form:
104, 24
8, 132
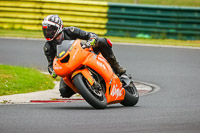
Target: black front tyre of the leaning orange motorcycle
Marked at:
96, 98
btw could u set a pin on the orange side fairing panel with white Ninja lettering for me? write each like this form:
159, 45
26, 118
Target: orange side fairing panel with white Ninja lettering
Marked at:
114, 91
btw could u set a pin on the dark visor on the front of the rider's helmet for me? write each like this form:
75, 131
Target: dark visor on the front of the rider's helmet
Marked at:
49, 31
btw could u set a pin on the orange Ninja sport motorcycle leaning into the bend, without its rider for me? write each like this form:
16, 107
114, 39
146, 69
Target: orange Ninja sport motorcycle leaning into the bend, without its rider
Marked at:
90, 75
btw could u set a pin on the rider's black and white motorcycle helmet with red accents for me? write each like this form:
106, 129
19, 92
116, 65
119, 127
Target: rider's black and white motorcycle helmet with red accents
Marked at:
52, 26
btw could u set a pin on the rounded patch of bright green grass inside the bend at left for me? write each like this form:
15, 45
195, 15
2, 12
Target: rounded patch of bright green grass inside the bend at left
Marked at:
15, 80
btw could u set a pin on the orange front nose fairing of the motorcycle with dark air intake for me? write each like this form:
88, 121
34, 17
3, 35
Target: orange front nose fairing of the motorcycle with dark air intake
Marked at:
67, 61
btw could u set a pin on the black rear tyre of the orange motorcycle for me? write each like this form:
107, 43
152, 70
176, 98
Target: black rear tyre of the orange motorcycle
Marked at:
131, 95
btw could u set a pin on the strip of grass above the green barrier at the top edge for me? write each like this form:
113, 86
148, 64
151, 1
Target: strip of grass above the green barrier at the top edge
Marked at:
195, 3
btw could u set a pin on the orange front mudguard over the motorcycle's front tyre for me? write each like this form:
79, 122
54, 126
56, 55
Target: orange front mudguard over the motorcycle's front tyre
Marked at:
86, 73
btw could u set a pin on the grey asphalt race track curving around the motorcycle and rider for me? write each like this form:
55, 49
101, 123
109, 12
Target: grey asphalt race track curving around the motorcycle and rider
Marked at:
173, 109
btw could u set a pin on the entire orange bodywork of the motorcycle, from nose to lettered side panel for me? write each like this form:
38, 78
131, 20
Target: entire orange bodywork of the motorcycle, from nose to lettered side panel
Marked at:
72, 59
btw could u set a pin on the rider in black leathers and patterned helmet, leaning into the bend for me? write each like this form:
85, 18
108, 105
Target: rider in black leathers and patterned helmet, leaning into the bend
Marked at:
55, 33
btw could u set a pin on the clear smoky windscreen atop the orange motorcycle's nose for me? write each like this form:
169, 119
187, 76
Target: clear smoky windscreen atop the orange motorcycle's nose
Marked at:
63, 48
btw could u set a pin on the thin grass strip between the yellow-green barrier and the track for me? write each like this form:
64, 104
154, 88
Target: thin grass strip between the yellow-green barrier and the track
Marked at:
39, 34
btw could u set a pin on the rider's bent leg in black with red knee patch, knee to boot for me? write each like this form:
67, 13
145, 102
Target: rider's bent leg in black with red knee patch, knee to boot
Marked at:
105, 47
